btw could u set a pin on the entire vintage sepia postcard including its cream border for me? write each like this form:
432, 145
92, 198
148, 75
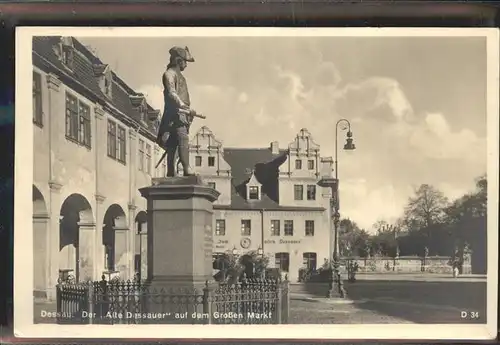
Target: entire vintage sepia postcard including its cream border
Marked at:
270, 182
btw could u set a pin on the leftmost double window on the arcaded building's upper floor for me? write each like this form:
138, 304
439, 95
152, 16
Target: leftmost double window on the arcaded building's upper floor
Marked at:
77, 121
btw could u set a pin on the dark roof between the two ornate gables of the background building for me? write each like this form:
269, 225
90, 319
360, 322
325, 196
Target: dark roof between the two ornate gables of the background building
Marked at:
265, 166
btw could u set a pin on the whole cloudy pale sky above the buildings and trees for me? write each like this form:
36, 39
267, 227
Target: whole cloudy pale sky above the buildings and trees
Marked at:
417, 105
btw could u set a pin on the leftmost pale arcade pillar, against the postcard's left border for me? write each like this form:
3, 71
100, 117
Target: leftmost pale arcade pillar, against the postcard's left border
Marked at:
41, 254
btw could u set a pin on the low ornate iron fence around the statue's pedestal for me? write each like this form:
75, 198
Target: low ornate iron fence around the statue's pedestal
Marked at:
250, 301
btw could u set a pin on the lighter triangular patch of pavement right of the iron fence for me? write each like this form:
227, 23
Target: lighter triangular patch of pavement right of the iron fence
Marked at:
314, 312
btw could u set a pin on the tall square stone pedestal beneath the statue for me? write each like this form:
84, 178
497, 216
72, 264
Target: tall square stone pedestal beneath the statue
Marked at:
179, 229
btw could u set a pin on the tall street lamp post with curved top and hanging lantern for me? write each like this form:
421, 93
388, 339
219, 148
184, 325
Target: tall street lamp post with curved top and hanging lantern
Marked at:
336, 288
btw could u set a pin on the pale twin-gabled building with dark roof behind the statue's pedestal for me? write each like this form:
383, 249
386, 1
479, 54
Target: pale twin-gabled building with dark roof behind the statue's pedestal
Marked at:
269, 199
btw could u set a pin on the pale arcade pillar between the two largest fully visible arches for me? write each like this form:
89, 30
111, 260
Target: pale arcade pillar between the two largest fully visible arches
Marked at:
86, 241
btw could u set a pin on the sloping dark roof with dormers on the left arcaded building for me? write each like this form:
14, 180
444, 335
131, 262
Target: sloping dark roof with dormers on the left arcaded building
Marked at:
82, 76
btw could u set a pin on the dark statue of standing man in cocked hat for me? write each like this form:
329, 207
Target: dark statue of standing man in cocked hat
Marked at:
173, 132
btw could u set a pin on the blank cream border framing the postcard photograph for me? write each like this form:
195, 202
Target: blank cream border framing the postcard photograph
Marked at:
23, 234
